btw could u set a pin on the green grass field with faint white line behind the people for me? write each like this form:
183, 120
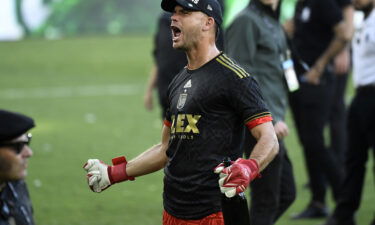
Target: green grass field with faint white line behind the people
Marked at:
86, 97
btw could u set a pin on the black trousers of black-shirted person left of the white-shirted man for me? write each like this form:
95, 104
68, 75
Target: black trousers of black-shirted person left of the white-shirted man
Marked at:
311, 106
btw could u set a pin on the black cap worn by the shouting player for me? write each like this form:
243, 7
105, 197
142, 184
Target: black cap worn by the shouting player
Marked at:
210, 7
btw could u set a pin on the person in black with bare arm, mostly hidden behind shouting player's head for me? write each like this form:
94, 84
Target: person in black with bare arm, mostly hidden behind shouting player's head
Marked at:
168, 62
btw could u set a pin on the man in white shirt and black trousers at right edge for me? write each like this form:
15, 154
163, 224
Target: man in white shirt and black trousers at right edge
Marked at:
361, 120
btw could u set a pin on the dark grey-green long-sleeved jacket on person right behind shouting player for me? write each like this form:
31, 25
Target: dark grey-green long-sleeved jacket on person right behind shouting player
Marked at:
257, 42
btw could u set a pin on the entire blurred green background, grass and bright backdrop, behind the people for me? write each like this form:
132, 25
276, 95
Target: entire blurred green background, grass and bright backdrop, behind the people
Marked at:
79, 68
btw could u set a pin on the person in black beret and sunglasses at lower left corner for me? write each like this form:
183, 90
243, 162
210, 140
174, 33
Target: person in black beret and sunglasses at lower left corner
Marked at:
15, 204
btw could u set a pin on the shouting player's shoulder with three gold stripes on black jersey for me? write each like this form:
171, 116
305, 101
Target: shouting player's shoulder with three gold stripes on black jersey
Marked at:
228, 68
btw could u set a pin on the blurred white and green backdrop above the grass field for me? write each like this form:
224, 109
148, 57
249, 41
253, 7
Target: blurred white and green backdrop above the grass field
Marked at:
54, 19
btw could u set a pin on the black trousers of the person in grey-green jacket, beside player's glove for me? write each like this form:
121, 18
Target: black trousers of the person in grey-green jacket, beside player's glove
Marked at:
274, 192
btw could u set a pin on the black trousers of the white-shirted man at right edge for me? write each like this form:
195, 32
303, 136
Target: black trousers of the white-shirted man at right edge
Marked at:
361, 138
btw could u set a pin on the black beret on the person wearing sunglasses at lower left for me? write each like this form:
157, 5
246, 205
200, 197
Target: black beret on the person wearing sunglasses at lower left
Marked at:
13, 125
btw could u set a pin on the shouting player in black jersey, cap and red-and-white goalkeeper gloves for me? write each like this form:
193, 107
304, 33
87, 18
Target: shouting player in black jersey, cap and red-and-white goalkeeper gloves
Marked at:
210, 104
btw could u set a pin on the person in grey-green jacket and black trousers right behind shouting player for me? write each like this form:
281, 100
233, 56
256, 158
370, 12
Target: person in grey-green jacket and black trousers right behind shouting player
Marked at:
257, 41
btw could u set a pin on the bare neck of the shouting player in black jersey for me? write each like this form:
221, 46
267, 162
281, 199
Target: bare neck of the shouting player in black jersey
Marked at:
200, 55
